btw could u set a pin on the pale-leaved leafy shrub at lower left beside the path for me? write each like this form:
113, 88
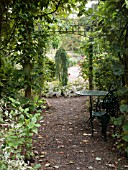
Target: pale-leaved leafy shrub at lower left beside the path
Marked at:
19, 122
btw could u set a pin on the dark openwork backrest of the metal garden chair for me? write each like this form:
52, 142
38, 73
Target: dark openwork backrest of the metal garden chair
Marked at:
111, 103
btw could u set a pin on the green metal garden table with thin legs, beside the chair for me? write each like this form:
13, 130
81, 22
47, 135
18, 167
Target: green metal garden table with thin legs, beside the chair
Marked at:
91, 93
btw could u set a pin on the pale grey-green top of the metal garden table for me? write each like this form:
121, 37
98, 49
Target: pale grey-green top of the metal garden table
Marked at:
92, 93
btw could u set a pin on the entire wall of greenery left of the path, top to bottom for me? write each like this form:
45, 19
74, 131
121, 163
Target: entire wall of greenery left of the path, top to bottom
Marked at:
25, 30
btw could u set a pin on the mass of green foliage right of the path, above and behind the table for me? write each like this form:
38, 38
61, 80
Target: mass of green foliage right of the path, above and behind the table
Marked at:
109, 37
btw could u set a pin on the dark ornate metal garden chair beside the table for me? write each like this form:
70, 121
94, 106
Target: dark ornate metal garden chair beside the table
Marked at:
104, 110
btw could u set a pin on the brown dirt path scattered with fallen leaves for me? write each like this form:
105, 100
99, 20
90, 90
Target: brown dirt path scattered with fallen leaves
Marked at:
64, 141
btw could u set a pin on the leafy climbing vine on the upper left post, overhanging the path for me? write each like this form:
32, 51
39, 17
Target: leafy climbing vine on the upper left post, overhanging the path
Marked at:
25, 29
